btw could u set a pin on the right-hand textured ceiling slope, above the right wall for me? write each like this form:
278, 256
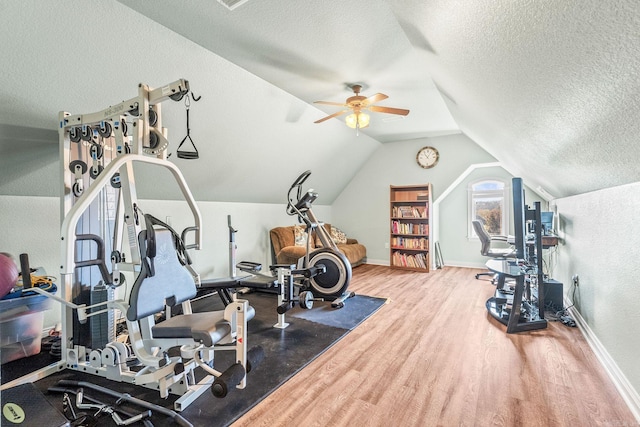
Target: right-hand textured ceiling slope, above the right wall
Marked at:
550, 88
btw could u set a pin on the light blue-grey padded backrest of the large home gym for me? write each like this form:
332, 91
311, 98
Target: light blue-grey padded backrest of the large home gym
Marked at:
162, 279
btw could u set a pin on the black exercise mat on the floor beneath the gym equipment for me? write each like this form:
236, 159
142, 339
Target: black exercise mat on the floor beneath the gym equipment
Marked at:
286, 352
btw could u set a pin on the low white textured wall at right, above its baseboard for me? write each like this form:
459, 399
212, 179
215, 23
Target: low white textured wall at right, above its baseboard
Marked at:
599, 242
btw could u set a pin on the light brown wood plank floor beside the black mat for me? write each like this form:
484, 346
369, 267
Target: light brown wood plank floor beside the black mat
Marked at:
433, 356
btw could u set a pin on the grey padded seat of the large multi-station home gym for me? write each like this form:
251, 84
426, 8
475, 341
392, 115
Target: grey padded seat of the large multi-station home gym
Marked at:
208, 327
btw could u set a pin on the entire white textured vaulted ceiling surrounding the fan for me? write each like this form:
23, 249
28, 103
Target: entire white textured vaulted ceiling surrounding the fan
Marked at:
550, 88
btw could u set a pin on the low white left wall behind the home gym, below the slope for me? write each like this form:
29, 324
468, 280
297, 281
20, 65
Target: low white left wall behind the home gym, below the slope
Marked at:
32, 225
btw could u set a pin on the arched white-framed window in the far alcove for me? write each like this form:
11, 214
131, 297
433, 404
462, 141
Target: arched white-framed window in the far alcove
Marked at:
487, 202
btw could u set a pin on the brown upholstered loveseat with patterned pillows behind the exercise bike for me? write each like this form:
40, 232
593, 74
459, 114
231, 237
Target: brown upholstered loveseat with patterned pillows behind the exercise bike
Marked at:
288, 244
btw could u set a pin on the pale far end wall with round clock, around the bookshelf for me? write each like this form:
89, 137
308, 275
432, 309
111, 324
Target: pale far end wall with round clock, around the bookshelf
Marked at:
362, 209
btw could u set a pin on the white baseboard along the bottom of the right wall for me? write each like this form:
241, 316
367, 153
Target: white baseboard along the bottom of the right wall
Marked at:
626, 390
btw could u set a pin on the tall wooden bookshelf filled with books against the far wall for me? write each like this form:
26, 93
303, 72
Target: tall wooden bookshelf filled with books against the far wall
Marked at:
409, 210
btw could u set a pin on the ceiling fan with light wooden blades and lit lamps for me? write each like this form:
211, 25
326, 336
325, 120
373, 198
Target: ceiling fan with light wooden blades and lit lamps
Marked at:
357, 104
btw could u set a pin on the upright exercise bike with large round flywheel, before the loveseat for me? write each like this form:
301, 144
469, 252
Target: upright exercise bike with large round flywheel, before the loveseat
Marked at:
332, 284
